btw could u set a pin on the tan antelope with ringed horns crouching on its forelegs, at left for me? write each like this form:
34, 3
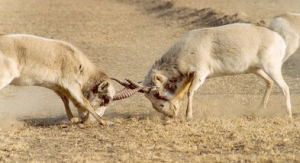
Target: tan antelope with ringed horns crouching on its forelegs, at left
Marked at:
28, 60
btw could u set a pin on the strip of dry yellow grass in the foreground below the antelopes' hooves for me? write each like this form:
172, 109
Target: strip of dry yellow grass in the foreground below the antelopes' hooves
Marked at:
248, 138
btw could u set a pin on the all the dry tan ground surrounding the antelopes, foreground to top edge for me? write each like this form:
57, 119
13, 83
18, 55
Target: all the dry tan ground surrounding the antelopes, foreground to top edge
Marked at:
125, 37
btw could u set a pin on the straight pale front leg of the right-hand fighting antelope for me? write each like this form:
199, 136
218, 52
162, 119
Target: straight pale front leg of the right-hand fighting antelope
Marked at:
198, 79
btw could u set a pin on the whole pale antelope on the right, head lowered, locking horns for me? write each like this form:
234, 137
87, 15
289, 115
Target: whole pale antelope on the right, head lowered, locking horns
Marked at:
211, 52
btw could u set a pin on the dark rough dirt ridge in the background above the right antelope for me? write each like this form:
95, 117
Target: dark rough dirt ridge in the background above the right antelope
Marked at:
192, 18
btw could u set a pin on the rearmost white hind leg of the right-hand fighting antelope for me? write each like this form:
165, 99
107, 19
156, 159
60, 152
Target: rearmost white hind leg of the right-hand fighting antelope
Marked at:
275, 74
